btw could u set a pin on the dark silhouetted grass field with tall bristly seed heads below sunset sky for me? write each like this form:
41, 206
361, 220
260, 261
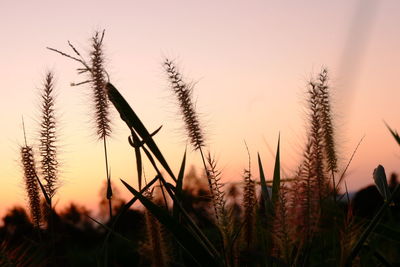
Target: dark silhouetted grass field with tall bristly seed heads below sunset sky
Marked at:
196, 220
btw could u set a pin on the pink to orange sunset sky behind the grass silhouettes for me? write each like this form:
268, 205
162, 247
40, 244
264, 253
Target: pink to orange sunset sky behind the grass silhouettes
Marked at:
250, 62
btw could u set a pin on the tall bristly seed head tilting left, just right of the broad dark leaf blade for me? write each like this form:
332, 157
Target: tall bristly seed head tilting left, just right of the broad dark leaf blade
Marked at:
183, 92
